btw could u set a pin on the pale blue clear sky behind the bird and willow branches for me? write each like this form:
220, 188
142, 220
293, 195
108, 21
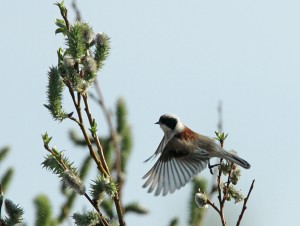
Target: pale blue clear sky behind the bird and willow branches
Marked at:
180, 57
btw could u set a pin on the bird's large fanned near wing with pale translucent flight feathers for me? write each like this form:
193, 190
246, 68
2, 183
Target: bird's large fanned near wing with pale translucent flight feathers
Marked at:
175, 167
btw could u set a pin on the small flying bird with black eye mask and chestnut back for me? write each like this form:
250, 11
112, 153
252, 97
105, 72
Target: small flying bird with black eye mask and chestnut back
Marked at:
183, 154
